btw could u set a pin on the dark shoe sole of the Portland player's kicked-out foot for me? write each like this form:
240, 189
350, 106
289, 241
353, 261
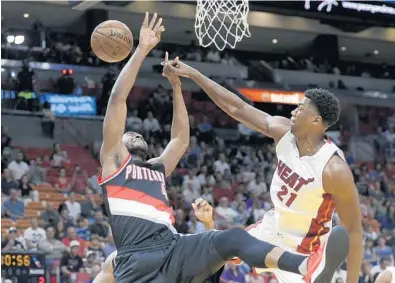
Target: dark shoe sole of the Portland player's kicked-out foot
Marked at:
336, 251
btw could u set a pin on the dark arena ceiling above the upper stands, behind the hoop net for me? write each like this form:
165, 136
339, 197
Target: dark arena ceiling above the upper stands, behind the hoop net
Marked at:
292, 33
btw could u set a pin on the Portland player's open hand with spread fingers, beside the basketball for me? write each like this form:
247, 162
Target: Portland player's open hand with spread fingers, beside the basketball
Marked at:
150, 33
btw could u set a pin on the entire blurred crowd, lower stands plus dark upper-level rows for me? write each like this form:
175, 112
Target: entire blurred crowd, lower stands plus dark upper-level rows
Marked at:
234, 177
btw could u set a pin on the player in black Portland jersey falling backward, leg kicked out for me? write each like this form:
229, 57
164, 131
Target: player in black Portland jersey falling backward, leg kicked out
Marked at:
148, 247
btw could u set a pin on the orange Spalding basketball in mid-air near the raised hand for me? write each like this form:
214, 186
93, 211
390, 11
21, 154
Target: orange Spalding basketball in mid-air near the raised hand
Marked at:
112, 41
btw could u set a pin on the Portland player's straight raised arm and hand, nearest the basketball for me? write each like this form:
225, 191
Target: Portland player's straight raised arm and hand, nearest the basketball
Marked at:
115, 118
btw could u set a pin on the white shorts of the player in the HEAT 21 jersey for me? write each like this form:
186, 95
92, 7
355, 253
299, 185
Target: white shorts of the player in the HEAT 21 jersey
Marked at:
266, 231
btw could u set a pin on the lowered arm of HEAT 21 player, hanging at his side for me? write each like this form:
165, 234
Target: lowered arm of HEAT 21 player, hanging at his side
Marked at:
338, 181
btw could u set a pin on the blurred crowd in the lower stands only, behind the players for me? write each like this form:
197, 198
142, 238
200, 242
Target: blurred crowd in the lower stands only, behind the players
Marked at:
235, 178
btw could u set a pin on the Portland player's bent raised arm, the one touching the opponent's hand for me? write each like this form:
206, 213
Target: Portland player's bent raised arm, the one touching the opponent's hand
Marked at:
179, 140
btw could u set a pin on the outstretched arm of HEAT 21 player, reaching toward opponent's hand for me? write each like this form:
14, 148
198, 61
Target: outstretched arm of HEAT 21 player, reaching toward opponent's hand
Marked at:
271, 126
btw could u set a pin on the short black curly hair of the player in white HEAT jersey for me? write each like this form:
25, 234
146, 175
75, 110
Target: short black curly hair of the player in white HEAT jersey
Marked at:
326, 103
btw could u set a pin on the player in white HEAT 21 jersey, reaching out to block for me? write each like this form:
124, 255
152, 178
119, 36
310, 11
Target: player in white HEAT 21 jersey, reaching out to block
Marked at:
312, 178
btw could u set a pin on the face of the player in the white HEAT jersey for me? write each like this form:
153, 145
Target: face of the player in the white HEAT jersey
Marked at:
304, 117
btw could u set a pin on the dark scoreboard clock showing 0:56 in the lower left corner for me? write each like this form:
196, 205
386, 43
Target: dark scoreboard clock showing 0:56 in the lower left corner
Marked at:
23, 266
